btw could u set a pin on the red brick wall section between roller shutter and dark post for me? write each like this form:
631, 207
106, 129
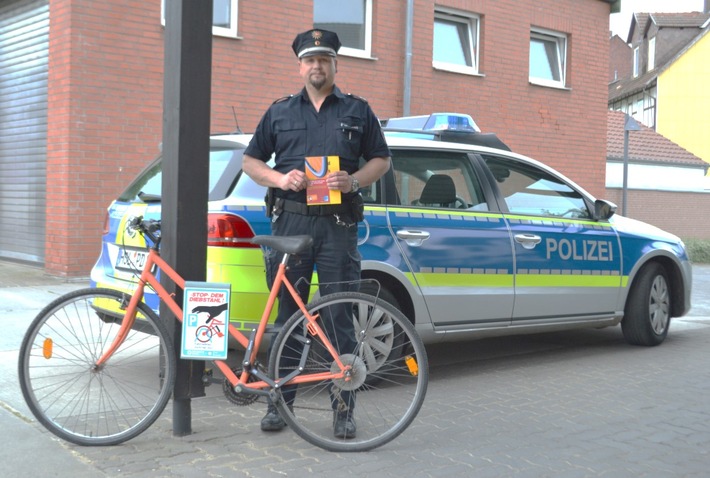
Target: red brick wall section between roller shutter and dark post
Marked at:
104, 118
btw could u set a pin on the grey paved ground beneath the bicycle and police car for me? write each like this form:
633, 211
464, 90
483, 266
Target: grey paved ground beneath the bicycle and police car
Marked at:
572, 404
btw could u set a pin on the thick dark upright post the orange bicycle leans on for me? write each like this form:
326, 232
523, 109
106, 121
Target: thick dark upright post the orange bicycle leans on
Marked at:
186, 130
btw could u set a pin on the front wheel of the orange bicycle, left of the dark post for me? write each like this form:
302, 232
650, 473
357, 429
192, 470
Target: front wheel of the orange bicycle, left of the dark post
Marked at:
82, 404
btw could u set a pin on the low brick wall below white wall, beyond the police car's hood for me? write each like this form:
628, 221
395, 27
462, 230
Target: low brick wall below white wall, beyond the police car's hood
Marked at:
683, 214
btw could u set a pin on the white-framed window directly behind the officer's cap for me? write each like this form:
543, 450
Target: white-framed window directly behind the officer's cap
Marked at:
350, 19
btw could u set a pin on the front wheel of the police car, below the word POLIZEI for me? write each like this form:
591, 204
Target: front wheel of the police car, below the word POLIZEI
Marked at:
648, 308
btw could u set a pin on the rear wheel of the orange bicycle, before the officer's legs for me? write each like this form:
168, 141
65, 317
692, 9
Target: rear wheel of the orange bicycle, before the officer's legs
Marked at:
381, 396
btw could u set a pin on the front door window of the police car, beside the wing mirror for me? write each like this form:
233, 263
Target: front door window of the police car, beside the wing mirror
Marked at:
532, 191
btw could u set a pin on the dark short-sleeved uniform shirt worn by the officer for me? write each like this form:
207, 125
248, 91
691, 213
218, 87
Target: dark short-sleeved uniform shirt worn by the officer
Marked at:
292, 129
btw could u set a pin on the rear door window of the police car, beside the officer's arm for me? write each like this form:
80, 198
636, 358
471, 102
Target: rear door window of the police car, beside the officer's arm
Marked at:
433, 179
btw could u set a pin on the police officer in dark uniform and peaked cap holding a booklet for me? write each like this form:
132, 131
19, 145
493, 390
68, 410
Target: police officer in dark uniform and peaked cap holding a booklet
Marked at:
318, 121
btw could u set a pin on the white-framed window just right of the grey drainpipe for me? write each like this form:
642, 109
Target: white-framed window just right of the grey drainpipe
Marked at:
455, 41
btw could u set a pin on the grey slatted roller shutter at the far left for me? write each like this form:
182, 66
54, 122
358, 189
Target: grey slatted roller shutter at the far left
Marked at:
24, 46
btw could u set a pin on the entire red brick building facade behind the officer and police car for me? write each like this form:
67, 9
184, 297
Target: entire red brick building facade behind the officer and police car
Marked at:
105, 91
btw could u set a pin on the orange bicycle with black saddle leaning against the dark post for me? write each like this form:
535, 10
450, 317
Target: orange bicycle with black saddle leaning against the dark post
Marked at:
97, 366
